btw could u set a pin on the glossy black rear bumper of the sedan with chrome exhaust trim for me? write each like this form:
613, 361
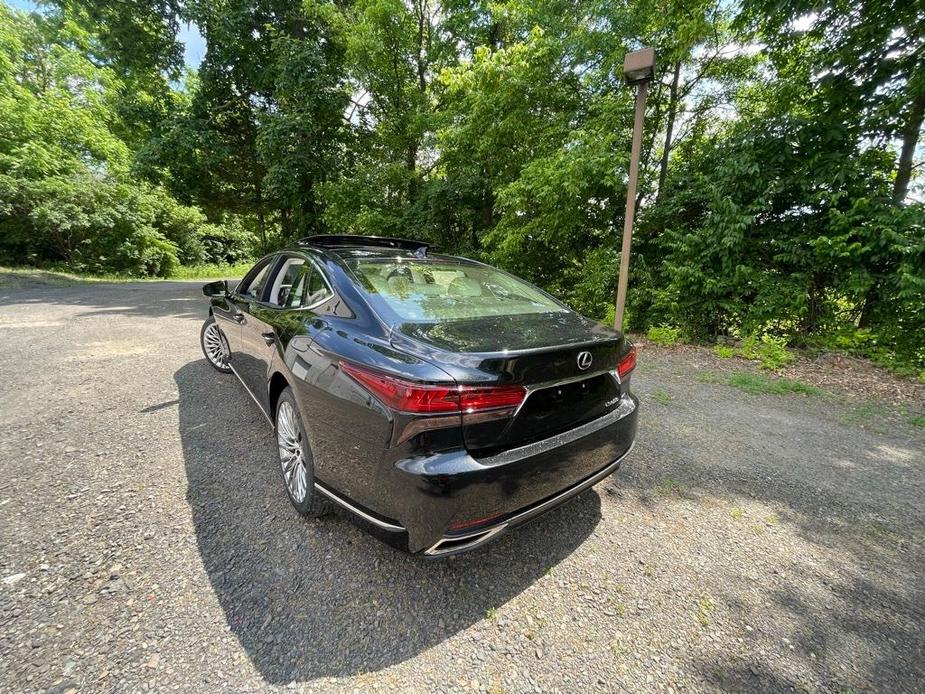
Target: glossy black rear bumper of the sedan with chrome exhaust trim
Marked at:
453, 502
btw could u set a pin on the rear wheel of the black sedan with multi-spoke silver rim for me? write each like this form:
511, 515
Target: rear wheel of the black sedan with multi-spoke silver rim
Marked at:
296, 463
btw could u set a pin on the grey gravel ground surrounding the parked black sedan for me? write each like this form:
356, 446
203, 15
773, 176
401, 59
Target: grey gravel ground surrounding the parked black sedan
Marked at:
751, 542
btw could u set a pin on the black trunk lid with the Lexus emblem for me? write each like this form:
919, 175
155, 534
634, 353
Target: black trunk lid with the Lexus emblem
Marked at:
541, 353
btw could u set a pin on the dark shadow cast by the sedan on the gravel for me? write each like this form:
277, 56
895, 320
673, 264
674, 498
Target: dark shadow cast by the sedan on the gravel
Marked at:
321, 598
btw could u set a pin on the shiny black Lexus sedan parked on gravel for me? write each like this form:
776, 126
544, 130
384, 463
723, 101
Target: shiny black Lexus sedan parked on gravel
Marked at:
439, 400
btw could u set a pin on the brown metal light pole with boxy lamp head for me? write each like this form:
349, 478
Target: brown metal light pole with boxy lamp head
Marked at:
638, 68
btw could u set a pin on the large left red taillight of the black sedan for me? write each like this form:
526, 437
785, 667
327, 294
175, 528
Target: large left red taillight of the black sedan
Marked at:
419, 398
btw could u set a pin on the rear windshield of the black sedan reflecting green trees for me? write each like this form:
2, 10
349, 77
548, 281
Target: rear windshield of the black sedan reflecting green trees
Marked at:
427, 290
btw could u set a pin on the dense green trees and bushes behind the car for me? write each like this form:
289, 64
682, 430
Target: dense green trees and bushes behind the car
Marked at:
778, 192
